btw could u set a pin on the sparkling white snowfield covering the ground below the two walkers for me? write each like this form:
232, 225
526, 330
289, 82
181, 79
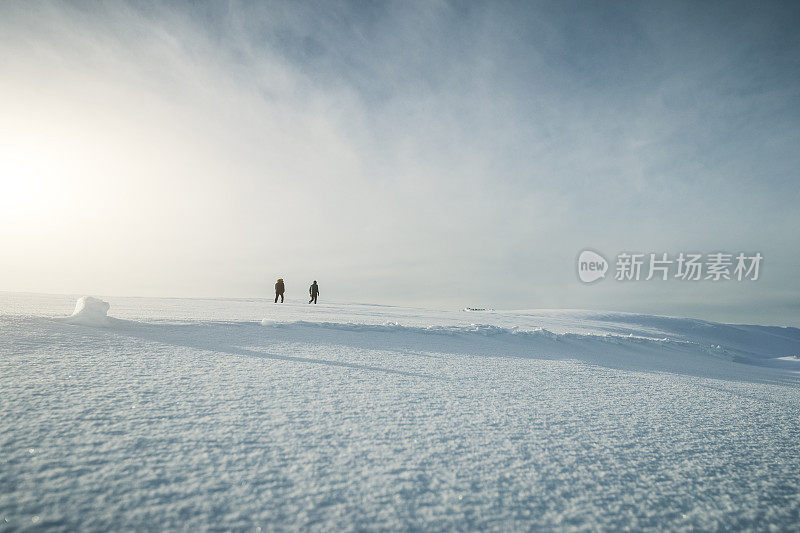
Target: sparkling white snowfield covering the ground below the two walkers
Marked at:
239, 414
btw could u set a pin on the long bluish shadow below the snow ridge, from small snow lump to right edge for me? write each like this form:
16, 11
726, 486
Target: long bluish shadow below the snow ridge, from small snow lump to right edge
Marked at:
620, 353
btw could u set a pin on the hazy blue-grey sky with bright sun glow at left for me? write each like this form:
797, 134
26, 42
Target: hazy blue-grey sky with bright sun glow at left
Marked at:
432, 154
